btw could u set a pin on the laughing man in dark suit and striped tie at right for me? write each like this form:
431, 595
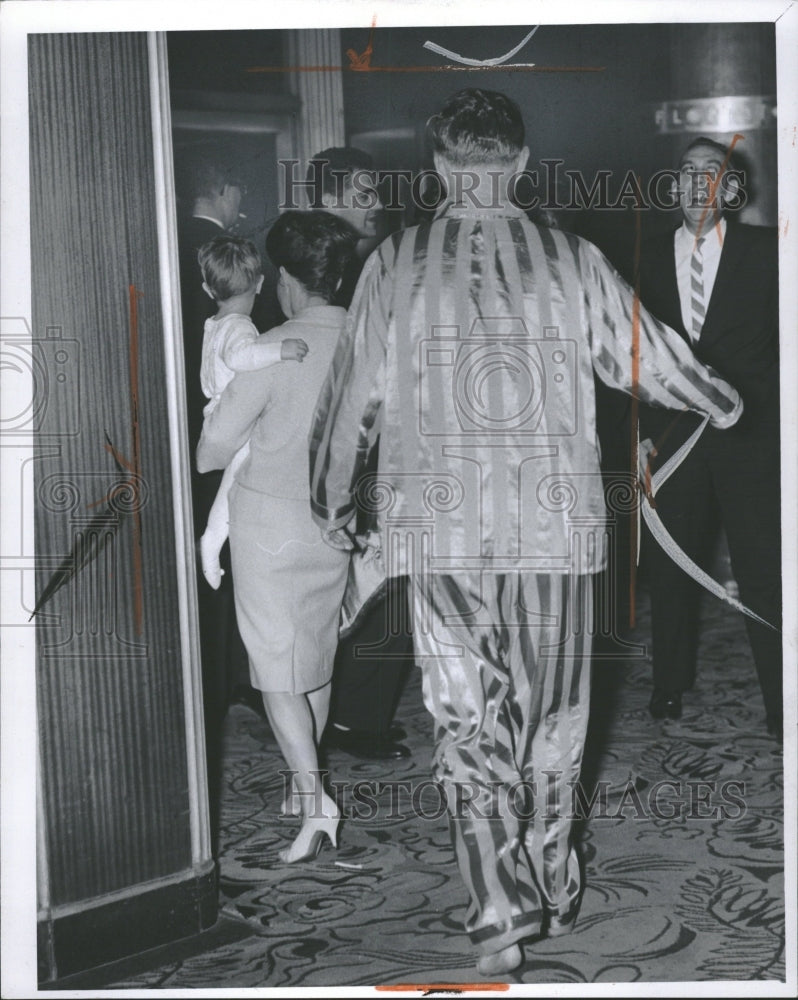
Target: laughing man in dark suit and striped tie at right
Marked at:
715, 281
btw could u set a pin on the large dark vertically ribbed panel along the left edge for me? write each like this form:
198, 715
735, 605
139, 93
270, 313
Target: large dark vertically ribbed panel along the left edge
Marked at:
113, 750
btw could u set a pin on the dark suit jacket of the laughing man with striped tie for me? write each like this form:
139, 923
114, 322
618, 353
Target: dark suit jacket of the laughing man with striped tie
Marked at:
740, 335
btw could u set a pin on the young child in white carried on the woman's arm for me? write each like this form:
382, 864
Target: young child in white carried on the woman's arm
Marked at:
232, 276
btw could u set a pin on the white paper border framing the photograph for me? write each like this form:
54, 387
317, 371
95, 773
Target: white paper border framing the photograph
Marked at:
18, 18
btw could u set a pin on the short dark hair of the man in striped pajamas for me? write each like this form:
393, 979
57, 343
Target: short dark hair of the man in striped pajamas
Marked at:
478, 127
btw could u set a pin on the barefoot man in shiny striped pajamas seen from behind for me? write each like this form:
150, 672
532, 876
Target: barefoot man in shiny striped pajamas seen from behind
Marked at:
472, 342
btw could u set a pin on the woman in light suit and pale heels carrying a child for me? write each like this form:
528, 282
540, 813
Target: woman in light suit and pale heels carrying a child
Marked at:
288, 583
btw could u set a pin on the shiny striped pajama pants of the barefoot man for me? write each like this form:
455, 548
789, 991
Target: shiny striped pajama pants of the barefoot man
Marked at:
506, 677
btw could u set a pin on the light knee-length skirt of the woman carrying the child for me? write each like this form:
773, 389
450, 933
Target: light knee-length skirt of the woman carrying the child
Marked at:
288, 587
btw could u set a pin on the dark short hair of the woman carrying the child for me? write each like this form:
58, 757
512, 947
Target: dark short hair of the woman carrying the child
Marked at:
316, 248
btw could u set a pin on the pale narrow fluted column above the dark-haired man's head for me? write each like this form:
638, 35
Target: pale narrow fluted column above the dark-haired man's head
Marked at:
319, 84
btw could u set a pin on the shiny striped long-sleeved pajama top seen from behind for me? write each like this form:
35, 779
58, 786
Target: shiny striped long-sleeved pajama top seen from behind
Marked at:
470, 348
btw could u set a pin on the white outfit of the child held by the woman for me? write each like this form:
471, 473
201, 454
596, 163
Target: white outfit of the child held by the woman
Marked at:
230, 344
